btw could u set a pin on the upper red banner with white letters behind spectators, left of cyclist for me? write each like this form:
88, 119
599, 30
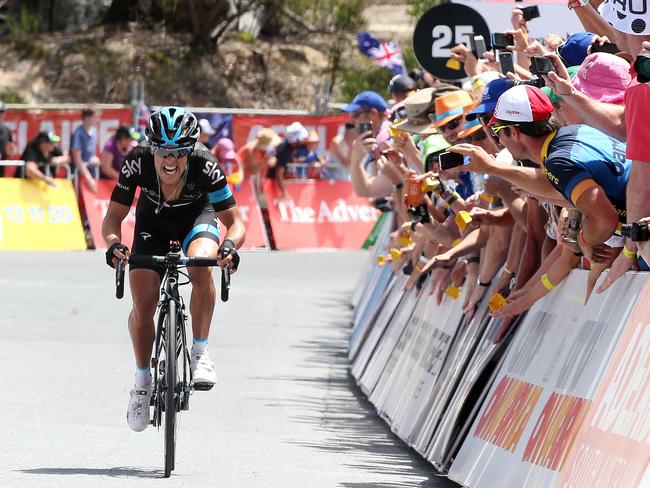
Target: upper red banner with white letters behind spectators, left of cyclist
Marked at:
25, 124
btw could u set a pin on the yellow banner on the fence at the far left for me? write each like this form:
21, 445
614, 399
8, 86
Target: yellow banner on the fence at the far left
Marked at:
38, 217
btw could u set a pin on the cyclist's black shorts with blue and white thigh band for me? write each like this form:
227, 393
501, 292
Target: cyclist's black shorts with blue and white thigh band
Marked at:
153, 233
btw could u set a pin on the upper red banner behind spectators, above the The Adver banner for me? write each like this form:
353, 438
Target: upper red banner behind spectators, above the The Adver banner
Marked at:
244, 127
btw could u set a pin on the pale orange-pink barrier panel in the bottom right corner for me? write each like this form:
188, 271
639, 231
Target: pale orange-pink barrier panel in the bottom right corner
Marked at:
612, 447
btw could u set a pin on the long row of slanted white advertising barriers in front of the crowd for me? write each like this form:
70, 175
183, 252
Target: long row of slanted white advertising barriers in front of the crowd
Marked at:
560, 401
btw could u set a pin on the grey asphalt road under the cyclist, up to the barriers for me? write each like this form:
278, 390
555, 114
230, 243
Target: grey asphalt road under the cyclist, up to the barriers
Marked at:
285, 412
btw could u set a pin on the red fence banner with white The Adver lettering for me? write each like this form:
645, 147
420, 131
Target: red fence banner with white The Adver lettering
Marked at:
321, 214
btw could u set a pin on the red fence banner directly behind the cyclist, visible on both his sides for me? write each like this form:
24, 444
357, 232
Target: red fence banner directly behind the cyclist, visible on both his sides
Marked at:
97, 205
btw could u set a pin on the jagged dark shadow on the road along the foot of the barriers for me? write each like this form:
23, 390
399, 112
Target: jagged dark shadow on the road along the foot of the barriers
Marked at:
341, 410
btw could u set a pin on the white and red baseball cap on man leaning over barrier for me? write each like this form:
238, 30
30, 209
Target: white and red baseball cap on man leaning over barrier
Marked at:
523, 103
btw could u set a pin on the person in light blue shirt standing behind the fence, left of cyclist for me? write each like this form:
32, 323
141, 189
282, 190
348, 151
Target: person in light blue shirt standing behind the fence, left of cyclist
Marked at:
83, 145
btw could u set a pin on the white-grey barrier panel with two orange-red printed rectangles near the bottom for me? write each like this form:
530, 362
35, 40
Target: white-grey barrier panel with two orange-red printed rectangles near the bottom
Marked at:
534, 410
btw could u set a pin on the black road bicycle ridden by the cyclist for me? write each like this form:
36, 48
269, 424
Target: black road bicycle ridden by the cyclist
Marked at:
173, 382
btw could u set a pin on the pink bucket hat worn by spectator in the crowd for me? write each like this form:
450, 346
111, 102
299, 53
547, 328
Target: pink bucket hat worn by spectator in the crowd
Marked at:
603, 77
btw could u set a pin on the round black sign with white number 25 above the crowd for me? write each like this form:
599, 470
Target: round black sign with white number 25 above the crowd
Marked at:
442, 28
